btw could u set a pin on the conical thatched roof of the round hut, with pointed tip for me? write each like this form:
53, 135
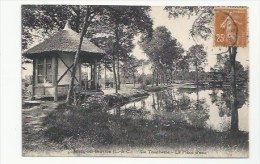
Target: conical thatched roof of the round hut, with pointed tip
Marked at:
66, 41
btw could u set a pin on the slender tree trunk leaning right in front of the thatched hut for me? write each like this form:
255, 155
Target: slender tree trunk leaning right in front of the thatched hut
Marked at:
73, 73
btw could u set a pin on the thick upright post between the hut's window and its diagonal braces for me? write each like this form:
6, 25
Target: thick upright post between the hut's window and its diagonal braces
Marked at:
55, 76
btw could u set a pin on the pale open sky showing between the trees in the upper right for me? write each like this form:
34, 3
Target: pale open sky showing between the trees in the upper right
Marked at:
179, 29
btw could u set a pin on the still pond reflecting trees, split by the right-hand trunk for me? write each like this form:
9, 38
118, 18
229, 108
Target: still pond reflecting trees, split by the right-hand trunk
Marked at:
177, 105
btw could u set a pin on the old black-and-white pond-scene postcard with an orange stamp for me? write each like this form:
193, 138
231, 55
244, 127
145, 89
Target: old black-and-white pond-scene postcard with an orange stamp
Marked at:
135, 81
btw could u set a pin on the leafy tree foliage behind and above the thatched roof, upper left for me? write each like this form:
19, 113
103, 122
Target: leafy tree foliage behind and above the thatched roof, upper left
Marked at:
45, 20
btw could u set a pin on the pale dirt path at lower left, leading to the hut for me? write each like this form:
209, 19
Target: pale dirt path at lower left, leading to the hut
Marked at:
32, 130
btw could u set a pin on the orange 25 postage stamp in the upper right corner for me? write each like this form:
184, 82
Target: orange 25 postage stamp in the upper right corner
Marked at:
230, 27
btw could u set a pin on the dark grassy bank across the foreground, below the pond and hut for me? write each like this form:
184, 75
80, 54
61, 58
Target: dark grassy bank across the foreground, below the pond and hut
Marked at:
80, 129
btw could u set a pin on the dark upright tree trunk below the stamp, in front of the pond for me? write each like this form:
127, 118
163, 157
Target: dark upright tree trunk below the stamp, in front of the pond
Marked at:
234, 111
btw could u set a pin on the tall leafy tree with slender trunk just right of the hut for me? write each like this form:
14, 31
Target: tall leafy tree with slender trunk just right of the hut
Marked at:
125, 22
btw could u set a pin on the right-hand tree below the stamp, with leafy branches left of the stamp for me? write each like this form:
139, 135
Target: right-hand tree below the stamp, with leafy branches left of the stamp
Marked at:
202, 27
